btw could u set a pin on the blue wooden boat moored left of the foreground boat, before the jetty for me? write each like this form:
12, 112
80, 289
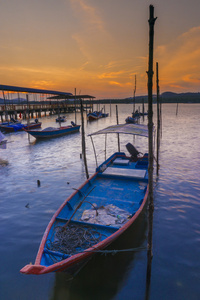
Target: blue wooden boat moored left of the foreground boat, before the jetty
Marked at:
51, 132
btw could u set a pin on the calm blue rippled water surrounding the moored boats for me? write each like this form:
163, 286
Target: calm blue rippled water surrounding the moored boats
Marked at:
26, 209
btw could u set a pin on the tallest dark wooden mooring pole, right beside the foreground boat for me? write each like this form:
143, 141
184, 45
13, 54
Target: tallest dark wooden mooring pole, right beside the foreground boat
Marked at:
150, 130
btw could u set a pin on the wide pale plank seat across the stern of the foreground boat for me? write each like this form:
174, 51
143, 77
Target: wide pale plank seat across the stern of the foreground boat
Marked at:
131, 173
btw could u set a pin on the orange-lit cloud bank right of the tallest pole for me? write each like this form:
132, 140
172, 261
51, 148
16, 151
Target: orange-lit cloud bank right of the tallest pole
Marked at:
179, 62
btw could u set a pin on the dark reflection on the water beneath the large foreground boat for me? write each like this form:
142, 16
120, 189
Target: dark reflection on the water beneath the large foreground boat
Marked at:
103, 276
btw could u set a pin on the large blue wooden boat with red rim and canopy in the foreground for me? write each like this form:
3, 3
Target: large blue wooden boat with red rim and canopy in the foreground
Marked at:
98, 212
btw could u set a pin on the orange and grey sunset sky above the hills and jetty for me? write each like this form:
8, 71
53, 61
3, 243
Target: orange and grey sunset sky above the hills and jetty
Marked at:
99, 47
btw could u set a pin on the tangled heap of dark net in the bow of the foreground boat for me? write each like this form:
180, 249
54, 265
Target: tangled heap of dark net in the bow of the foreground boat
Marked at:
73, 239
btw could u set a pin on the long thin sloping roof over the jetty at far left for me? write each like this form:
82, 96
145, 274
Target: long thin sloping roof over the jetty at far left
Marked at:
30, 90
